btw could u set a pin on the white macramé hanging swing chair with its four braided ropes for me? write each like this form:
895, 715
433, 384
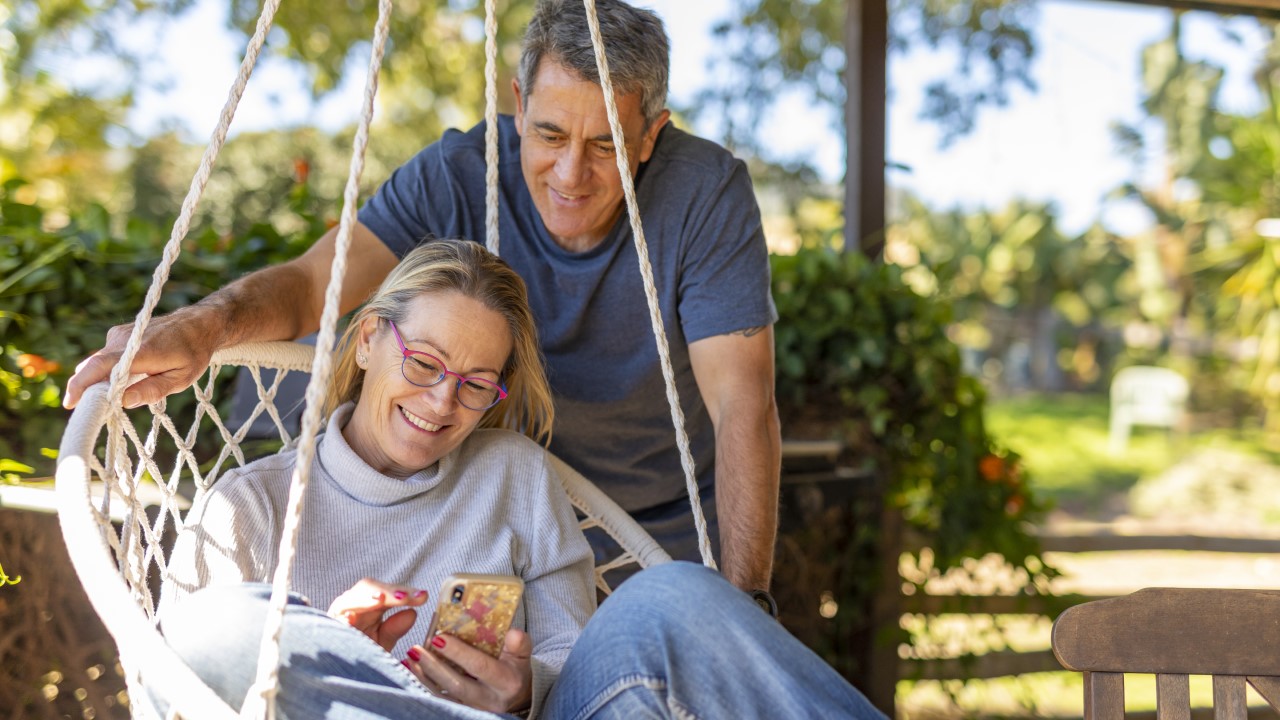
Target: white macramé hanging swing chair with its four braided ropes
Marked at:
107, 467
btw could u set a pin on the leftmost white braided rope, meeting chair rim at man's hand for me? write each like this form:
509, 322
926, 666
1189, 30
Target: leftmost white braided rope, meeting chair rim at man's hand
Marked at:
121, 377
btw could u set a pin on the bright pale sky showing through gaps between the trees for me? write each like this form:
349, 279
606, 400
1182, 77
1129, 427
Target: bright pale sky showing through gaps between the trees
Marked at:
1054, 144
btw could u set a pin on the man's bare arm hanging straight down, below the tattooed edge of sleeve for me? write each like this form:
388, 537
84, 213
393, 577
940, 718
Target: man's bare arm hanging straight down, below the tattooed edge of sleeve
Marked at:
735, 379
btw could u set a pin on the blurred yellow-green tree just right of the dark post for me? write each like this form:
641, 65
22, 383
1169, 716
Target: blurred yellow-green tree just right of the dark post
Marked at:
1013, 276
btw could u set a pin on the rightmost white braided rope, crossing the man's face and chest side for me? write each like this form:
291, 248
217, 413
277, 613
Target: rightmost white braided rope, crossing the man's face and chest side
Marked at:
678, 414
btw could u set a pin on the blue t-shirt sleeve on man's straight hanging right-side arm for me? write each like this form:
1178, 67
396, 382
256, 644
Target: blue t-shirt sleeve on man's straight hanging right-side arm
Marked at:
725, 270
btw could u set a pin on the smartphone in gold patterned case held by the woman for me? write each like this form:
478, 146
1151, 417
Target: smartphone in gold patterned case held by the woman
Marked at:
478, 609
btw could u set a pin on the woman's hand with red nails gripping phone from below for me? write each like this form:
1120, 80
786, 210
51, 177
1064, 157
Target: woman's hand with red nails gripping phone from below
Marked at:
459, 672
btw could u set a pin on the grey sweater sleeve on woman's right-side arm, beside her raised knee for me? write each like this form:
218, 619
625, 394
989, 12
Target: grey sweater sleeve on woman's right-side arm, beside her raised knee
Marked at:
559, 569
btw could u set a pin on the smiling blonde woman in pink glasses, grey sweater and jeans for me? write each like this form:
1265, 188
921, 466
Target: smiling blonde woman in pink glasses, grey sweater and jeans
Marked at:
417, 479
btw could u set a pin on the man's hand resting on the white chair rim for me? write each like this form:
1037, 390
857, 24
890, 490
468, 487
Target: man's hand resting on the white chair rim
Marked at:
176, 350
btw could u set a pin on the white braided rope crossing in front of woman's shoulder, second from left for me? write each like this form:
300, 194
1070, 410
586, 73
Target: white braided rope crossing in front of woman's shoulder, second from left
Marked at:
322, 373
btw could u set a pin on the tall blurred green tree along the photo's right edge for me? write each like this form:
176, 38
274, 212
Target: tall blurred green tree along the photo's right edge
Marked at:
1218, 270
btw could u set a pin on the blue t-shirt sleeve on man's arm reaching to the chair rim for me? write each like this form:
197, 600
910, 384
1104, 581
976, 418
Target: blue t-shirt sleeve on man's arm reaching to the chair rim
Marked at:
419, 202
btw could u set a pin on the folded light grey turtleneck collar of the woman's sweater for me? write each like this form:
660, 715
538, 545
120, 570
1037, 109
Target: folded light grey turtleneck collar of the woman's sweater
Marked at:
342, 467
